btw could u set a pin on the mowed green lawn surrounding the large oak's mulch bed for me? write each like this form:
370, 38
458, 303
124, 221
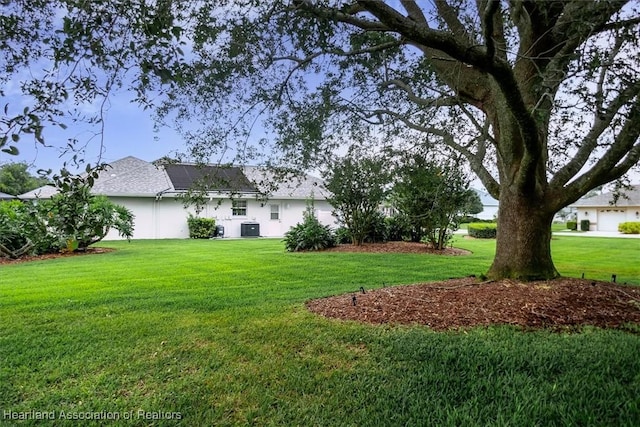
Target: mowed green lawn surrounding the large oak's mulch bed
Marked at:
216, 333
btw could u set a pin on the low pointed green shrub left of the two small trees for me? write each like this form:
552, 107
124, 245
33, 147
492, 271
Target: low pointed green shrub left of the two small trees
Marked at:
310, 235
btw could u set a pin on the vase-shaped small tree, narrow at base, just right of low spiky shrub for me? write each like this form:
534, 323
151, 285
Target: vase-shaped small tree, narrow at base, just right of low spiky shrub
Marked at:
358, 185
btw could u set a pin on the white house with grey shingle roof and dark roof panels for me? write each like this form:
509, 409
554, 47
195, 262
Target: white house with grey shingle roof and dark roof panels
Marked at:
245, 201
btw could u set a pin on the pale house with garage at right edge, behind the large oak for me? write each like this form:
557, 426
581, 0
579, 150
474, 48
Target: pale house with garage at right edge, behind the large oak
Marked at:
605, 216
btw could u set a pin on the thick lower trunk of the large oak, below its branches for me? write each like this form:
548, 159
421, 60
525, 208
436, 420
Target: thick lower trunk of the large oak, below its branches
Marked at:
523, 246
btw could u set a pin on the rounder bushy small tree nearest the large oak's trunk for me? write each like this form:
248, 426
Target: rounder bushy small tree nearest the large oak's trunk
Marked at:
430, 195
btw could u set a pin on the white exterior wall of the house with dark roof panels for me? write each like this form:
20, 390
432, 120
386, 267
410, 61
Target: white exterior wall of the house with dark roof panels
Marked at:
166, 218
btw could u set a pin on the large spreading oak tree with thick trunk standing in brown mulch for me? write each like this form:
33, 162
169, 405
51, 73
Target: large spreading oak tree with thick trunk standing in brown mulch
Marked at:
542, 98
